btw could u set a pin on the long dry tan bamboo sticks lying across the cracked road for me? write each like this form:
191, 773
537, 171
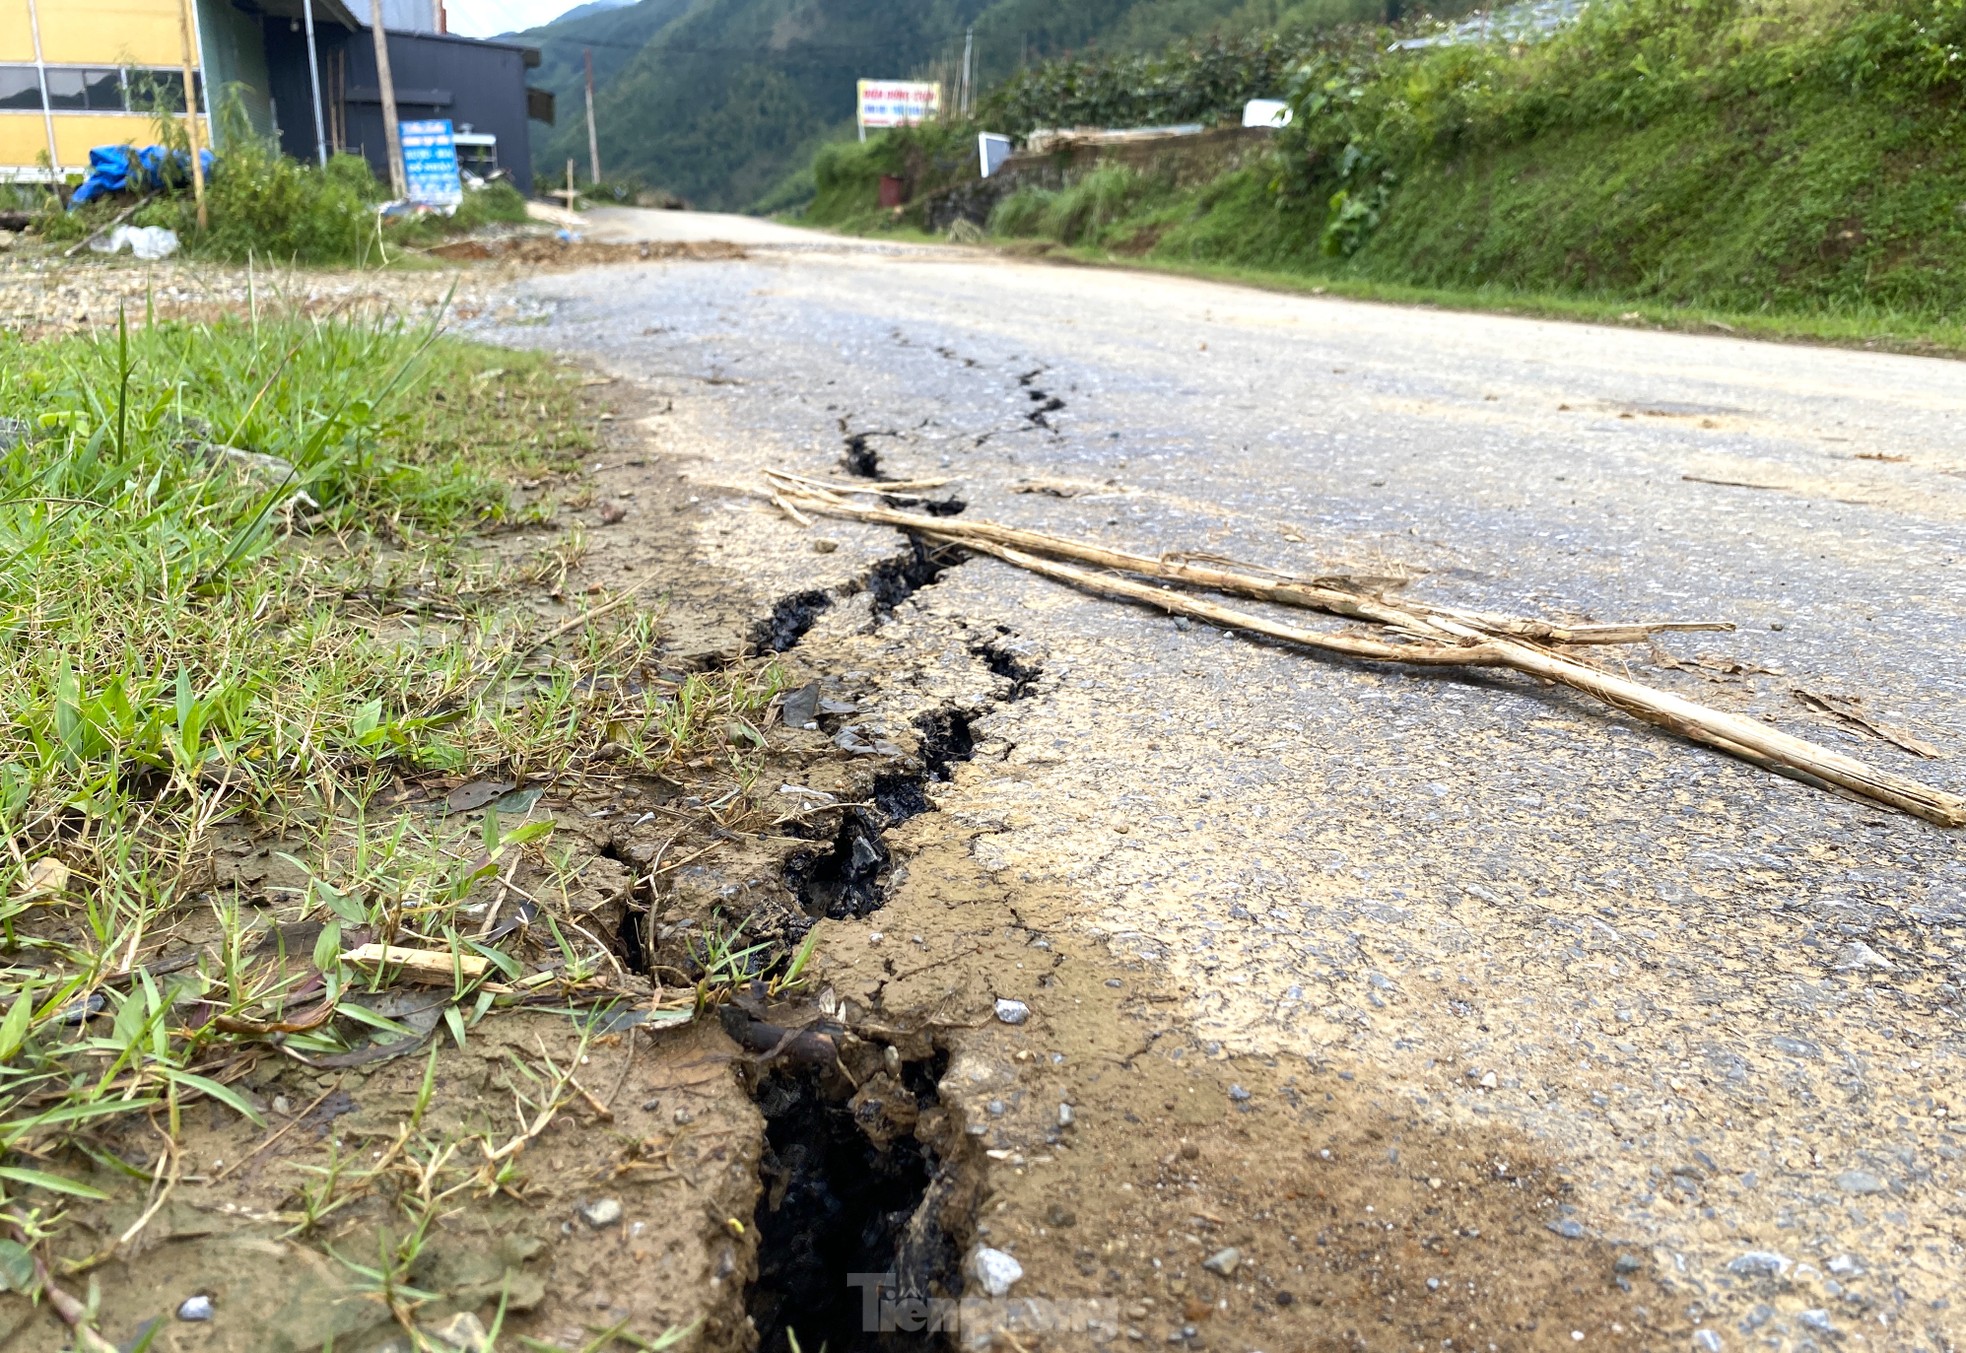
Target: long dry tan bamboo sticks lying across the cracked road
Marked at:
1477, 648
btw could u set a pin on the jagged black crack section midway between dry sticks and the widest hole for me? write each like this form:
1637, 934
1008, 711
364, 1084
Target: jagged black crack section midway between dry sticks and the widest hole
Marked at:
848, 878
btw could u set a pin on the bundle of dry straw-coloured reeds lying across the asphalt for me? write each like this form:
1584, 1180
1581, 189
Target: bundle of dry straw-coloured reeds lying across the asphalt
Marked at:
1407, 632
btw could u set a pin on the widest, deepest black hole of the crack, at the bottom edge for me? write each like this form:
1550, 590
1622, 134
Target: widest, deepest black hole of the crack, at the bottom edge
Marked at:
852, 1199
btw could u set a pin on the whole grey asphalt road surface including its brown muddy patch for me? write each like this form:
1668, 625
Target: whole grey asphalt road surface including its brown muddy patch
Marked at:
1367, 1010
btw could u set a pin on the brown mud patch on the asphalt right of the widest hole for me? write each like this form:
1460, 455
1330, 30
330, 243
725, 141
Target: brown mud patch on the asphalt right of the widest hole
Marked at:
1177, 1197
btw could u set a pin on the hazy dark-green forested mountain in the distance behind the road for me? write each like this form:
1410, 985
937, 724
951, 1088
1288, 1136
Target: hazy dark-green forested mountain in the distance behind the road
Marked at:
723, 99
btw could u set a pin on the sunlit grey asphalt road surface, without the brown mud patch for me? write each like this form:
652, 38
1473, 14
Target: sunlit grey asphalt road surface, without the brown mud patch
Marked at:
1727, 1006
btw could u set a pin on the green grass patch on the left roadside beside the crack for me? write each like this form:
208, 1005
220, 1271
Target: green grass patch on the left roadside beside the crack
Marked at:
243, 603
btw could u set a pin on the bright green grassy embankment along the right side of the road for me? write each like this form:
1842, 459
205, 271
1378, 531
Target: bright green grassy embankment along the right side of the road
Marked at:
1743, 156
